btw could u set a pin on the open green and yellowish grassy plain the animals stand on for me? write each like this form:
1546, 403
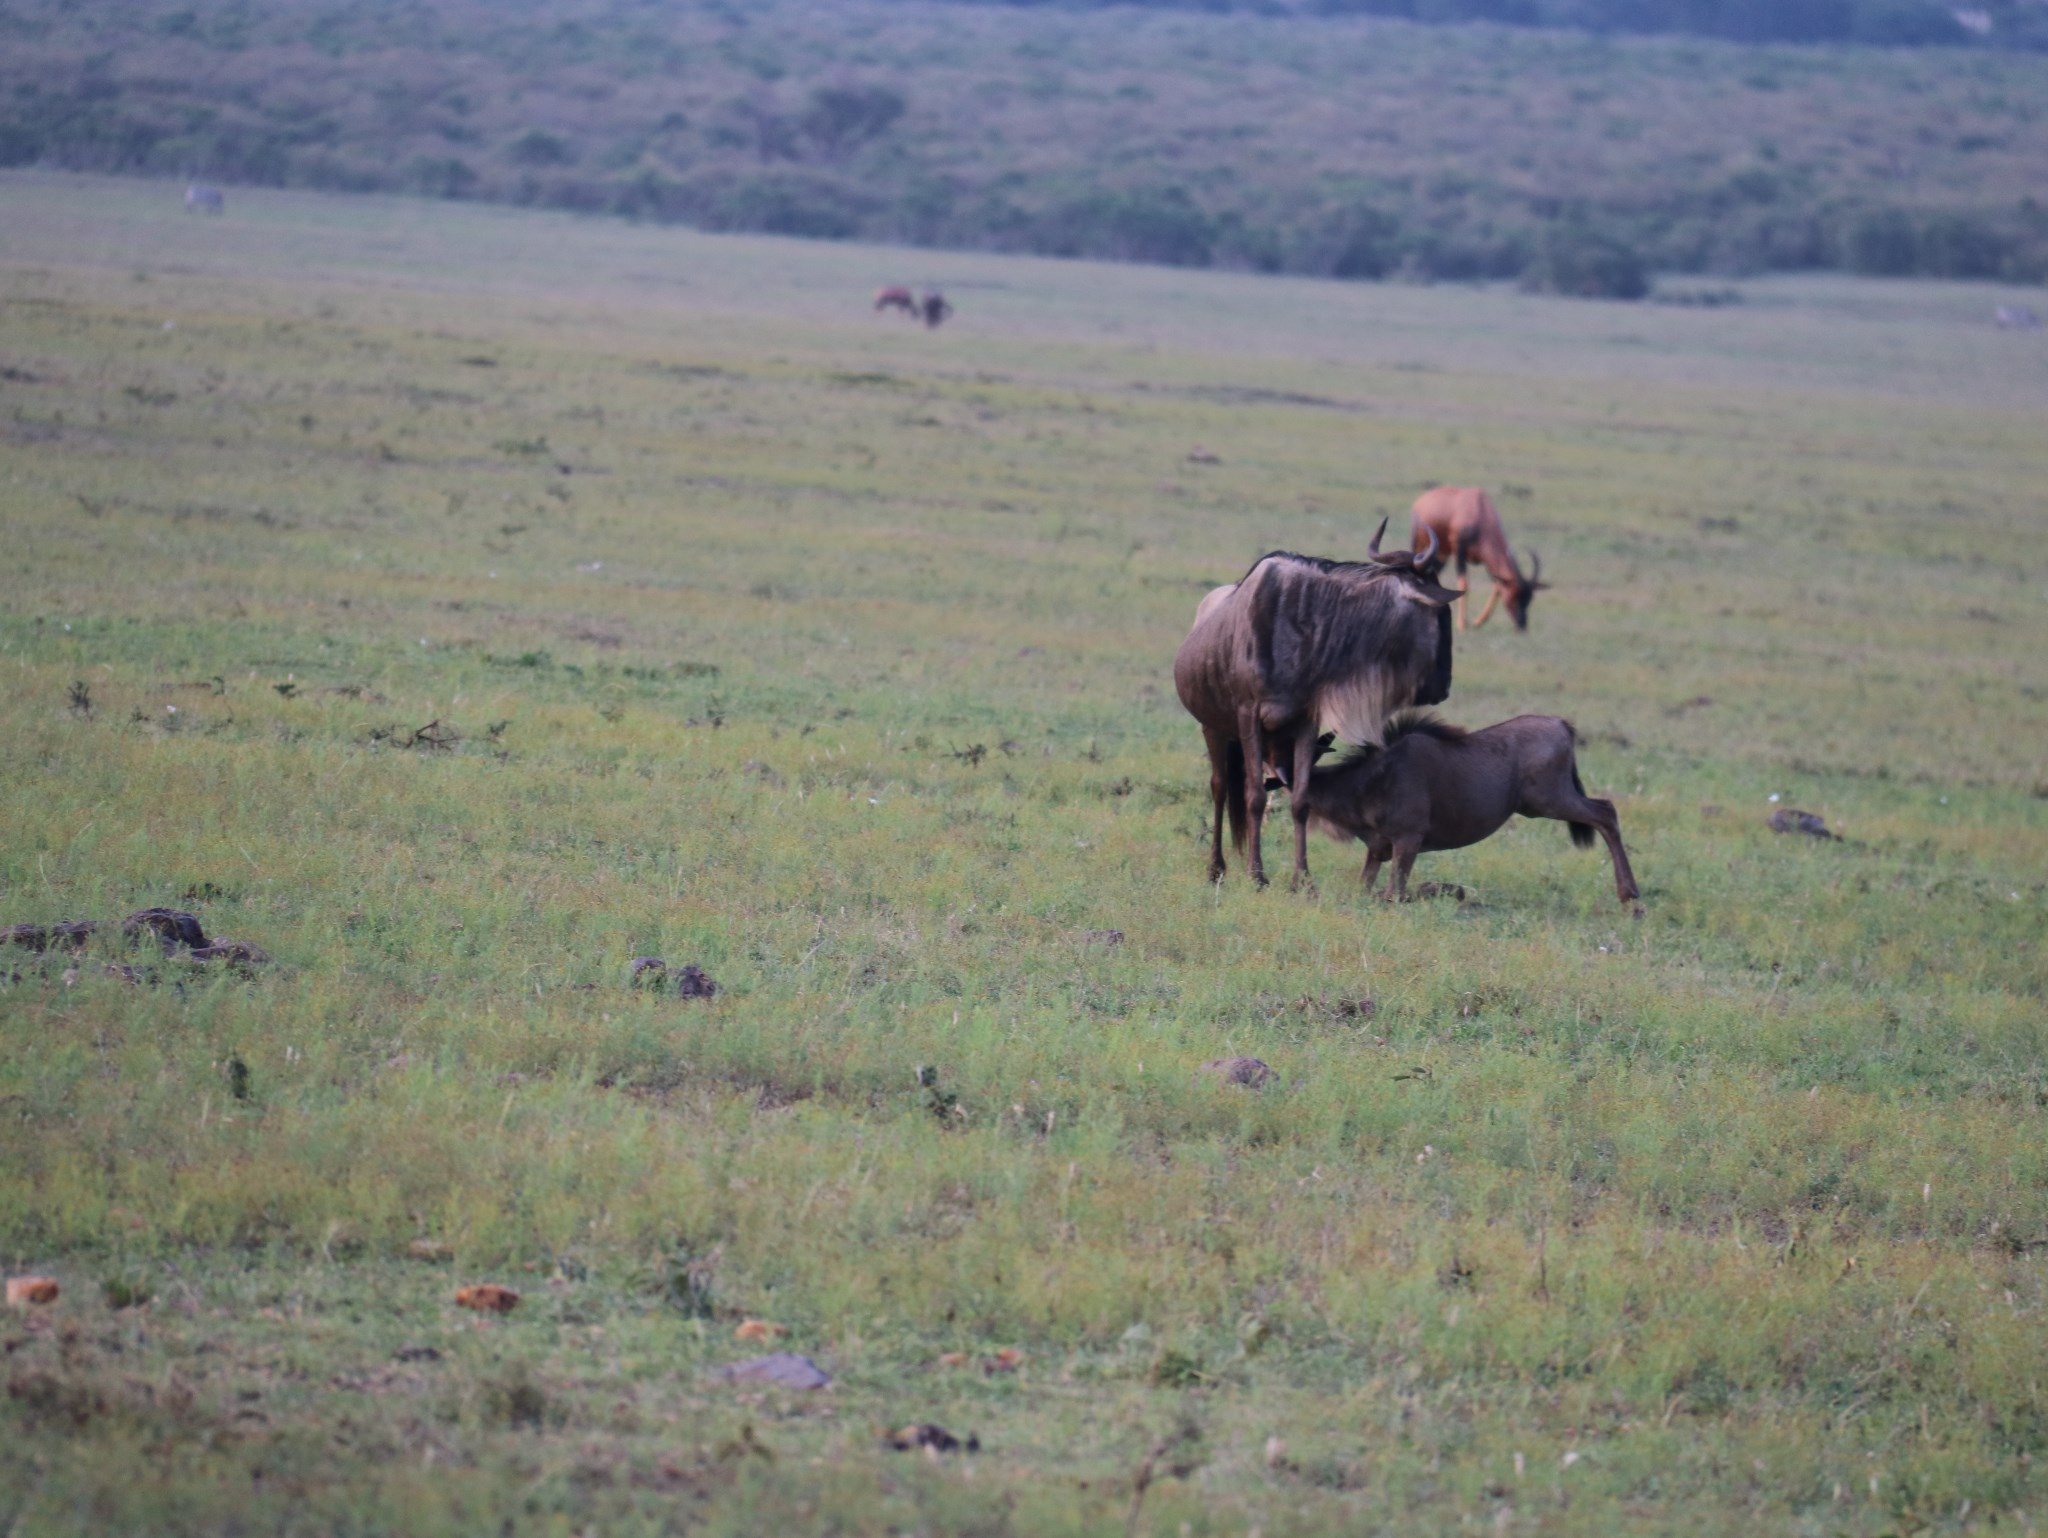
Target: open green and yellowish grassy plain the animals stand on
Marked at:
830, 654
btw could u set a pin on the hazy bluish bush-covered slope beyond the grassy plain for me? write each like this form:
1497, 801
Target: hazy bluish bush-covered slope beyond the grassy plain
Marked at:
1275, 138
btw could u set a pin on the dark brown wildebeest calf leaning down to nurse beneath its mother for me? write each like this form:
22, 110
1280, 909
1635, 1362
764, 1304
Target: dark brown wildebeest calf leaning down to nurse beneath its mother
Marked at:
1439, 787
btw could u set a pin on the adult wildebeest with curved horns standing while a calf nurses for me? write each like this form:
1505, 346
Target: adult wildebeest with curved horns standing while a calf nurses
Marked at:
1299, 646
